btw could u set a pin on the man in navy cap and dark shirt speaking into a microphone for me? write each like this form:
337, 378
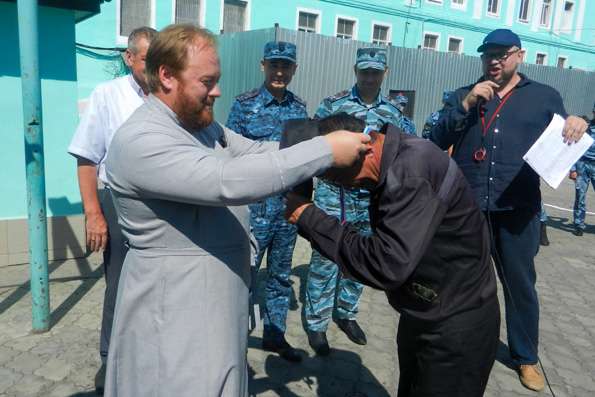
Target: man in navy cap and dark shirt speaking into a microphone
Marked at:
492, 123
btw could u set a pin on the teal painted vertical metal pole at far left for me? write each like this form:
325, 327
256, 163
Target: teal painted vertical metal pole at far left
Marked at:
32, 122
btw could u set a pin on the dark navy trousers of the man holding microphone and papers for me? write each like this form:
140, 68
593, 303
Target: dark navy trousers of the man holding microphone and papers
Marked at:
515, 245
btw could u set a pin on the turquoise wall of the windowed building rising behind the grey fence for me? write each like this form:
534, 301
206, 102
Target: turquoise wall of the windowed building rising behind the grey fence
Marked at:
408, 26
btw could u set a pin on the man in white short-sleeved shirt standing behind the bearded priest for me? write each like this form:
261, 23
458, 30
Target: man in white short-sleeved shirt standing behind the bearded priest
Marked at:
110, 104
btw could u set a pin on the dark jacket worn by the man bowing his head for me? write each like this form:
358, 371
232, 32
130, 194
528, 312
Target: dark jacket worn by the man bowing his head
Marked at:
430, 254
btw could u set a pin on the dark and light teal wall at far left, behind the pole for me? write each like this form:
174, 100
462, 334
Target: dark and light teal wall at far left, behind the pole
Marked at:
59, 95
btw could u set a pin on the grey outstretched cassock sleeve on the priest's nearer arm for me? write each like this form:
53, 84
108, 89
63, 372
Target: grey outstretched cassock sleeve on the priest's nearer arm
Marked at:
158, 166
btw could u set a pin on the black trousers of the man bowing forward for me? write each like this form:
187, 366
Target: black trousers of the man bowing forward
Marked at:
450, 359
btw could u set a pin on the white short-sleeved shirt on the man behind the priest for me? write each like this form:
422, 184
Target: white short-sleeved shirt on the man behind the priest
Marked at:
110, 105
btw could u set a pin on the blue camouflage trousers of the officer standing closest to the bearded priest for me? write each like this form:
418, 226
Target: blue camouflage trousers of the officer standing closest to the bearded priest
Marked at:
277, 238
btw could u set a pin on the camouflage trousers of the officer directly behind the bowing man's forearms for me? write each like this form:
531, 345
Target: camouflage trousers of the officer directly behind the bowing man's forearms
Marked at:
326, 289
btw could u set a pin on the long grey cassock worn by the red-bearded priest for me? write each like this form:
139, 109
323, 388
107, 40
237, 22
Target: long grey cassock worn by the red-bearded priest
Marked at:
180, 326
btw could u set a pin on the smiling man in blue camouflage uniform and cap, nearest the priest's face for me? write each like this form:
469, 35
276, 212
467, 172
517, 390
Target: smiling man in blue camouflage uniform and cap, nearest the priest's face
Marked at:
260, 114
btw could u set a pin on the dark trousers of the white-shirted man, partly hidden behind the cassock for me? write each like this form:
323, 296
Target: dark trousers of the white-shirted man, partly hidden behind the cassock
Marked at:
113, 259
